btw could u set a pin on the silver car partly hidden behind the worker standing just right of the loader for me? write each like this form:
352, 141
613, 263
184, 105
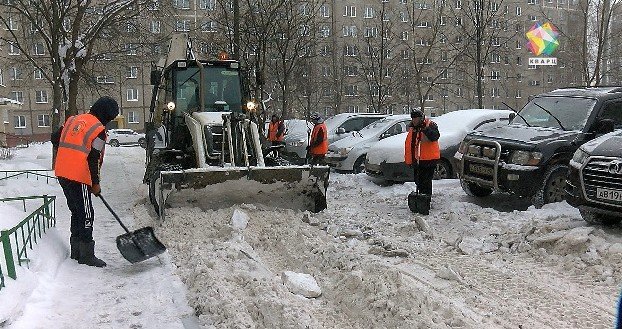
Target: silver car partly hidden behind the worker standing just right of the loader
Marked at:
339, 126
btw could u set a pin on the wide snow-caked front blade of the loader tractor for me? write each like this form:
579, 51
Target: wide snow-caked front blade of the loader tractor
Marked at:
292, 187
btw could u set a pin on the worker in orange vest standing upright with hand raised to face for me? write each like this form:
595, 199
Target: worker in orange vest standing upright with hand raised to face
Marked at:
421, 151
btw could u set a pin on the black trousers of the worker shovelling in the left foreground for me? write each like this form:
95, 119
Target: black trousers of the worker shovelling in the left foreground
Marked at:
79, 202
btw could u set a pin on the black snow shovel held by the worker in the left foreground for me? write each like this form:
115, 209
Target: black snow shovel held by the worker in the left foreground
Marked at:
139, 245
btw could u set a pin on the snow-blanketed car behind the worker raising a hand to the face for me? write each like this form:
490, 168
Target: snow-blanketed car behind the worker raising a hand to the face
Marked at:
385, 159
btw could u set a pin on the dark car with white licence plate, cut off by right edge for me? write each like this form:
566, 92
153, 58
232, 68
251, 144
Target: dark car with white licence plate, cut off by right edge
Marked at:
594, 182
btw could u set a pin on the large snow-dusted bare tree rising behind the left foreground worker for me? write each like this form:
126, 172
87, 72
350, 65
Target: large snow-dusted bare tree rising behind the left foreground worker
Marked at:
70, 31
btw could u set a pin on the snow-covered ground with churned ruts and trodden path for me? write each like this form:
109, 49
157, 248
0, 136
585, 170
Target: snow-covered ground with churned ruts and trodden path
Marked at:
470, 264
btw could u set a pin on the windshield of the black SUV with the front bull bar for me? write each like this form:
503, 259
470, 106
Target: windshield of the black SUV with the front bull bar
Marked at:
572, 112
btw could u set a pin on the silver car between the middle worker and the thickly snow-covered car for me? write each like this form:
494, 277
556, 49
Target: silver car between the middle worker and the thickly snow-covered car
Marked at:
348, 154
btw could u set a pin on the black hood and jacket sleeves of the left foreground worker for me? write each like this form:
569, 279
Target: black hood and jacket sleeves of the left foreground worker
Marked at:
105, 109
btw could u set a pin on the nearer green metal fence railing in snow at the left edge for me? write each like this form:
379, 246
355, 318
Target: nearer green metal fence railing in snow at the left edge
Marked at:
17, 240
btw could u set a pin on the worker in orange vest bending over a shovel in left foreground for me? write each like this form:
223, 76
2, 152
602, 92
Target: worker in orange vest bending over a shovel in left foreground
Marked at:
80, 143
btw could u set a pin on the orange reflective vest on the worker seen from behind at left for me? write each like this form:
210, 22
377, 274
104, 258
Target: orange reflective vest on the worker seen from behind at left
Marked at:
74, 147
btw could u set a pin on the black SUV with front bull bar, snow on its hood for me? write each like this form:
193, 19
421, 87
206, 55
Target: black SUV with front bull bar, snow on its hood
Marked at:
530, 156
